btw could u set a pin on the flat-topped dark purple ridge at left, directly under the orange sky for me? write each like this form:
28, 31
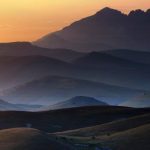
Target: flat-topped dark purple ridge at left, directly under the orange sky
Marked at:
27, 49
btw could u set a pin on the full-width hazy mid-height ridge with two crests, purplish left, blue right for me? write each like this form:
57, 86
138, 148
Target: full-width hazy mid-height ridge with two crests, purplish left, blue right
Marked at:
95, 66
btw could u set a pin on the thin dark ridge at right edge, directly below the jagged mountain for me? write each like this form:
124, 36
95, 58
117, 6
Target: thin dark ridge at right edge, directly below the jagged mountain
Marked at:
132, 55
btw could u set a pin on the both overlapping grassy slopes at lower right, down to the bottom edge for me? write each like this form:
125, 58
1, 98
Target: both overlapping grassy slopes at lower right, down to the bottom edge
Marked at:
127, 134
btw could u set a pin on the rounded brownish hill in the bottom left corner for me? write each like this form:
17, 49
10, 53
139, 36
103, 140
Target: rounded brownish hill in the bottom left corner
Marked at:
28, 139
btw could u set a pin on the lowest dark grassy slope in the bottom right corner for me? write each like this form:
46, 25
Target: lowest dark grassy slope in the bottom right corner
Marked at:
133, 139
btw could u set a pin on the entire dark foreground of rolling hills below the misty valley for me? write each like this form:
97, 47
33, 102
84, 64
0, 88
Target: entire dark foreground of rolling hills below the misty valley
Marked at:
87, 128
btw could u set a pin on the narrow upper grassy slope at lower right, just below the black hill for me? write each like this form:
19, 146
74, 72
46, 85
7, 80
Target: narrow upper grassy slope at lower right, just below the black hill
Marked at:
109, 128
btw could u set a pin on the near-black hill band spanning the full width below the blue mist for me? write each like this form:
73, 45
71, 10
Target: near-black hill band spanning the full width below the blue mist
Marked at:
67, 119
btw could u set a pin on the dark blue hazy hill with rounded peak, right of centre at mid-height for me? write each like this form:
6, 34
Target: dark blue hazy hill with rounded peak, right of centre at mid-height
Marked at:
114, 70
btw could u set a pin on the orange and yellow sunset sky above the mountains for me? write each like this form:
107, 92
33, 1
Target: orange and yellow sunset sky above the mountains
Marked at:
28, 20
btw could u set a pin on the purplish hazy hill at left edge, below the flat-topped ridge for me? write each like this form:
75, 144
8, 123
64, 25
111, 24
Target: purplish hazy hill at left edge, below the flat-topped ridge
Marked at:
22, 69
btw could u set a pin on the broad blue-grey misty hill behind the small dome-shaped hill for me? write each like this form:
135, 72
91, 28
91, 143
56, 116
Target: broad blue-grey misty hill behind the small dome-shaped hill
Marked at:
53, 89
